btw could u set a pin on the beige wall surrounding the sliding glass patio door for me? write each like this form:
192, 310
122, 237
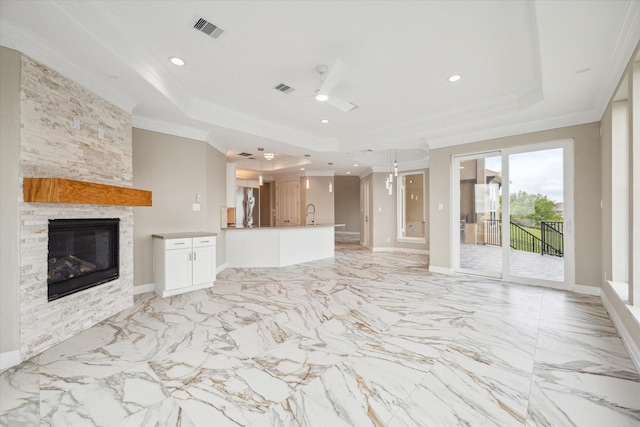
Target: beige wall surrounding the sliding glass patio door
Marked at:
586, 194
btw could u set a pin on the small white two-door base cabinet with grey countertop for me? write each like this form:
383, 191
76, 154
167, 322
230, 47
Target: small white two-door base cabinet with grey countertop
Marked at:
183, 262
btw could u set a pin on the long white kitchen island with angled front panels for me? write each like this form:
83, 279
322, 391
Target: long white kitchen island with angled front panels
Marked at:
278, 246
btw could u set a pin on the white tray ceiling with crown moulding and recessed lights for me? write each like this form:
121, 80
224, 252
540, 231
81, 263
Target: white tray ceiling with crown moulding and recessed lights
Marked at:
525, 66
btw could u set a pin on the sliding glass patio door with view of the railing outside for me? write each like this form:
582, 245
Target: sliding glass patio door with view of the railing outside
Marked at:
515, 212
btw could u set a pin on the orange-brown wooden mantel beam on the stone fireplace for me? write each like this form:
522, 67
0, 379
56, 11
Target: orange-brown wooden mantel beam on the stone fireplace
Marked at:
59, 190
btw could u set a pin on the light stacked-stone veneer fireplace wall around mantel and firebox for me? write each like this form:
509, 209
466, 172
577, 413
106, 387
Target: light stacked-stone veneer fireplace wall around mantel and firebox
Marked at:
50, 147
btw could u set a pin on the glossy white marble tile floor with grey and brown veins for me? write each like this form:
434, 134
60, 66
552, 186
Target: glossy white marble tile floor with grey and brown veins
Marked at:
364, 339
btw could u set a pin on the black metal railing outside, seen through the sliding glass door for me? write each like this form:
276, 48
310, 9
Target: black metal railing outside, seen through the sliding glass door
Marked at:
551, 241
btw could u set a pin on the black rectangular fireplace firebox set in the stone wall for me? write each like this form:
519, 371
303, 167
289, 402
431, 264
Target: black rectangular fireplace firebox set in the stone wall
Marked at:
83, 253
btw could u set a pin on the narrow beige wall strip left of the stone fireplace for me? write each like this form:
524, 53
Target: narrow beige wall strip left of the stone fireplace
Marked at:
9, 199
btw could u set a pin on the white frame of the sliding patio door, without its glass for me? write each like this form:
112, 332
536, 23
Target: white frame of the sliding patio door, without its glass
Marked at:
569, 237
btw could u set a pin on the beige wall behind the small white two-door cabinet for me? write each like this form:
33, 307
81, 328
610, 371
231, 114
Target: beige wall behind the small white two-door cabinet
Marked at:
175, 169
